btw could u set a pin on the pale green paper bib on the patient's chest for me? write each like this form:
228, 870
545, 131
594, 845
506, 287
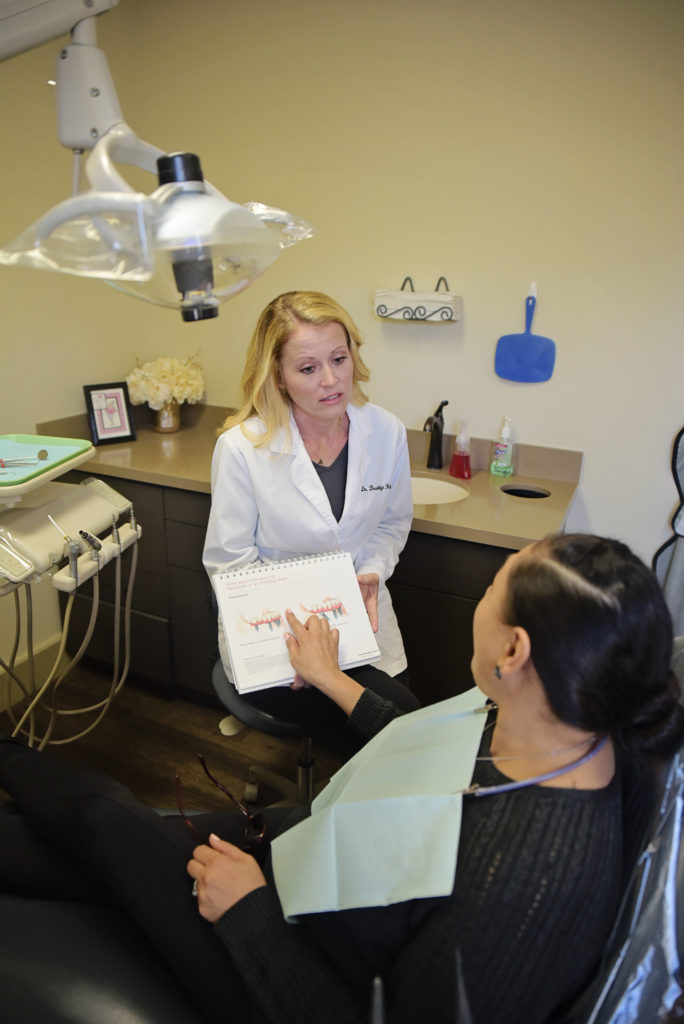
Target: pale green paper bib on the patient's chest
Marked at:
387, 828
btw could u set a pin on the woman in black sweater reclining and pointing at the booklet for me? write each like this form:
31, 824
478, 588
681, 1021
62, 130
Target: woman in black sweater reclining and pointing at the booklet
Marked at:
573, 644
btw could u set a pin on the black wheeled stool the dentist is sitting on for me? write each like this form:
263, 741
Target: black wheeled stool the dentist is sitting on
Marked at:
300, 792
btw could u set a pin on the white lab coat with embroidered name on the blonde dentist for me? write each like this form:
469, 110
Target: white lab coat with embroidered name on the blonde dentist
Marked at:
269, 504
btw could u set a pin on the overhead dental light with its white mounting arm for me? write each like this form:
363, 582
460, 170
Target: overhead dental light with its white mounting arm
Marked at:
185, 245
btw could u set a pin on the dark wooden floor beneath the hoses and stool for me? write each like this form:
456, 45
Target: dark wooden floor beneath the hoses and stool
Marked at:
146, 738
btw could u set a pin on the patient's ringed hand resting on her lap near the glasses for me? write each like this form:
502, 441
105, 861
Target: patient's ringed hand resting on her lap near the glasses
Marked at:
224, 875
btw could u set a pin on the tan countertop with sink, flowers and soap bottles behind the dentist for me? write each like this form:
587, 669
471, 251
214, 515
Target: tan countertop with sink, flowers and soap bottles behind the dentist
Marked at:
488, 517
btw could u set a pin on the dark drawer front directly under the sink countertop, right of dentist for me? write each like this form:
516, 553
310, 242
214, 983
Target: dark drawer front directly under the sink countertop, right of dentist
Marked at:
450, 567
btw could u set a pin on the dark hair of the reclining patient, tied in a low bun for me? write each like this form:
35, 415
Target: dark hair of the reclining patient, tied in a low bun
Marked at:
602, 641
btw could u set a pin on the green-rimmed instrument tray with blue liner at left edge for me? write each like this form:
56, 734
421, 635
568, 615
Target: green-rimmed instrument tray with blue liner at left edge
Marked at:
29, 461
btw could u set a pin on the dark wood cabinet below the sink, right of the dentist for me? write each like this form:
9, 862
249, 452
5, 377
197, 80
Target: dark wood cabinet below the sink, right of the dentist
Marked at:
435, 589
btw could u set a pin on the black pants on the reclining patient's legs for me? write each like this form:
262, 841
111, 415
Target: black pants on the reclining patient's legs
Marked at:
79, 835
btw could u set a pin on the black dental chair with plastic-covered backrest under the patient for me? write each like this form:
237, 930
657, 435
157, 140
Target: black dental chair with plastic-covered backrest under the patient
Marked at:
73, 964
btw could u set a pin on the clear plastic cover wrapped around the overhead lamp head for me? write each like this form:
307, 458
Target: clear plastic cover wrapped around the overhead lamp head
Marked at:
133, 241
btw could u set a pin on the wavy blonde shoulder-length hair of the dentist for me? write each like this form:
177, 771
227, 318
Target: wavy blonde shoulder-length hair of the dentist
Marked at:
264, 393
